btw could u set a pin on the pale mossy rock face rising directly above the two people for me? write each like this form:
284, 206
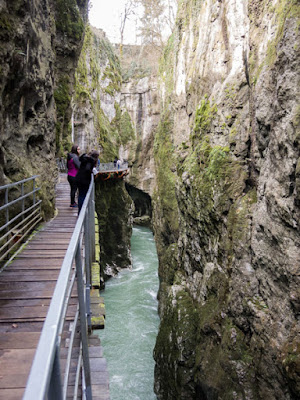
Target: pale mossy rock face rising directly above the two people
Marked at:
101, 123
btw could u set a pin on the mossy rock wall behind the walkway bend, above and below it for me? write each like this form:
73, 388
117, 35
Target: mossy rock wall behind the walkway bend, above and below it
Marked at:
99, 122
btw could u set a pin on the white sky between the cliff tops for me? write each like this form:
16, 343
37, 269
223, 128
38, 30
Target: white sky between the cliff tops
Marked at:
105, 14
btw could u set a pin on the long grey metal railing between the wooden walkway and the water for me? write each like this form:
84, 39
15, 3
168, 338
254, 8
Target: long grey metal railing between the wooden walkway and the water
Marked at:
45, 378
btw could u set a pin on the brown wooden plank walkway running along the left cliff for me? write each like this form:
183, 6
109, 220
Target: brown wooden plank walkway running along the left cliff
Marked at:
26, 288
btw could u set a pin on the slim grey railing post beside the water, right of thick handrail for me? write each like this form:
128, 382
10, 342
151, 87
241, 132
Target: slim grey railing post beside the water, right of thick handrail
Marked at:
83, 325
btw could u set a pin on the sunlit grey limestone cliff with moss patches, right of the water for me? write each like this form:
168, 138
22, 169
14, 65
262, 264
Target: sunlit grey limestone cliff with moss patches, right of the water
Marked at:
227, 203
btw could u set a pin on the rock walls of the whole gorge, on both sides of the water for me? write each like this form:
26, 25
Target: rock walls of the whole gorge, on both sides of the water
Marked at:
211, 132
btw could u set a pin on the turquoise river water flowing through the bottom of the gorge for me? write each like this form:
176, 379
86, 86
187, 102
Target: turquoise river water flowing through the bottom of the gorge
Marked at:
131, 322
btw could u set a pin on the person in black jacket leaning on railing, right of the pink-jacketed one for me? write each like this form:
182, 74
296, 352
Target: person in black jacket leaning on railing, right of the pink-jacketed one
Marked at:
83, 177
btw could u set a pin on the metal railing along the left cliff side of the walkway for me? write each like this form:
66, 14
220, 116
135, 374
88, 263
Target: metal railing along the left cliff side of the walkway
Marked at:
26, 215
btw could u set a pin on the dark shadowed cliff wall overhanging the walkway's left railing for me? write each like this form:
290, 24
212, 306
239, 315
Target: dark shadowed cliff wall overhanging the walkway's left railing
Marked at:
40, 45
